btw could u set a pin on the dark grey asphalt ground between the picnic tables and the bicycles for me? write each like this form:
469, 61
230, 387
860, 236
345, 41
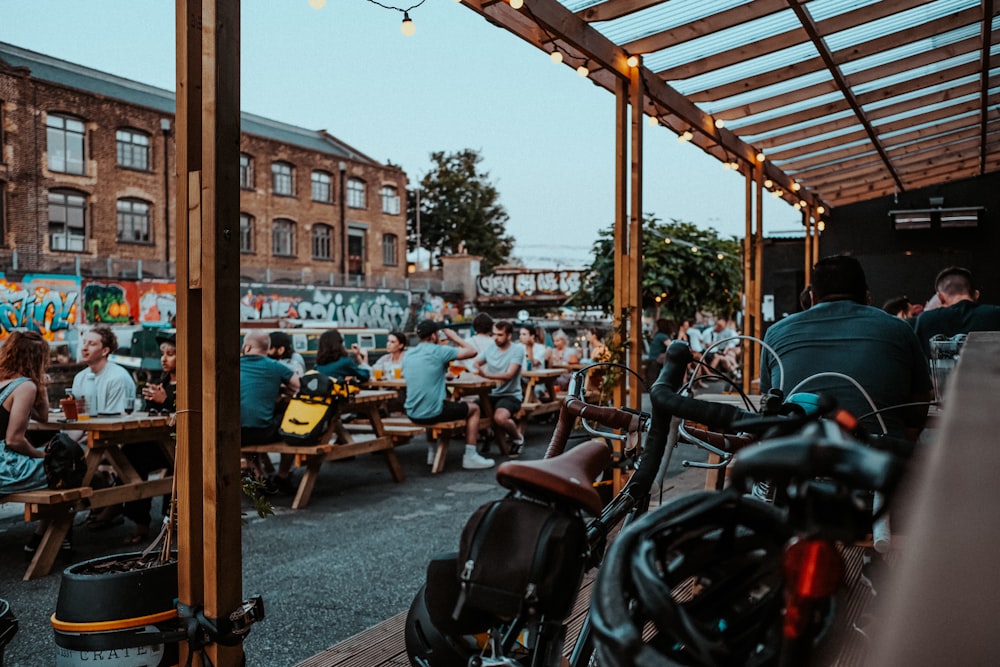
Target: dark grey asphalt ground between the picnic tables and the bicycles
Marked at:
351, 559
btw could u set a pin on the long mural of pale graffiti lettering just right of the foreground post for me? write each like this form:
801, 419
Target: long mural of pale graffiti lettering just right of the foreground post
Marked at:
380, 310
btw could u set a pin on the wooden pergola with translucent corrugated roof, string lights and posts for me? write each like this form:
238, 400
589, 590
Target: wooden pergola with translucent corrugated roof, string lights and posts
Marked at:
823, 103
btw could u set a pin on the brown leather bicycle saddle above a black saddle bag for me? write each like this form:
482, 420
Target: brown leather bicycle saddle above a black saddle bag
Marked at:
569, 476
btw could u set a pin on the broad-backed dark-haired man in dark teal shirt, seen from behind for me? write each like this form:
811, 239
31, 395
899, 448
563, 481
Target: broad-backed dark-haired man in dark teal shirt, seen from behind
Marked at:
842, 333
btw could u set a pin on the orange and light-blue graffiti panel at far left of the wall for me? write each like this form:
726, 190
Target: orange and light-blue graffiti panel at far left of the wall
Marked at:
40, 302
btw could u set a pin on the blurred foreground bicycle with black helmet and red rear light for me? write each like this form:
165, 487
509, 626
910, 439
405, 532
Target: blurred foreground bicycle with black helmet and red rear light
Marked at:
726, 578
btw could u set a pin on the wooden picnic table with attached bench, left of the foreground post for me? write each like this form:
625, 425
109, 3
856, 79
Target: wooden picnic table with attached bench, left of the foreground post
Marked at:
105, 435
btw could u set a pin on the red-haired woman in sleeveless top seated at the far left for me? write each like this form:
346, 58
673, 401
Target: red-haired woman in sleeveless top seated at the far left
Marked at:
23, 396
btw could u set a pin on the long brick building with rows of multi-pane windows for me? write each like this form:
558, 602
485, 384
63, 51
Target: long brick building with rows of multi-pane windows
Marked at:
87, 180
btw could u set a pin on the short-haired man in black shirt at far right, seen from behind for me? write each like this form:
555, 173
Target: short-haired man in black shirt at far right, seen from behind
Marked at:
960, 310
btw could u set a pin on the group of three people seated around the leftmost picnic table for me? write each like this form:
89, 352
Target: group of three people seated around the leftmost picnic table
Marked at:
24, 358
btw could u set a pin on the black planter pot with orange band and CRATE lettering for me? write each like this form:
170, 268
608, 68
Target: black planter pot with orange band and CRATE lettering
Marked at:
115, 618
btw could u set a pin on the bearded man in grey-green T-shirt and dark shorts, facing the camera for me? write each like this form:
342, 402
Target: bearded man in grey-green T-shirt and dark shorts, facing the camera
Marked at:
503, 361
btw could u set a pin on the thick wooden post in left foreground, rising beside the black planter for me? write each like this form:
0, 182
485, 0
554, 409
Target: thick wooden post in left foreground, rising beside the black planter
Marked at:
208, 465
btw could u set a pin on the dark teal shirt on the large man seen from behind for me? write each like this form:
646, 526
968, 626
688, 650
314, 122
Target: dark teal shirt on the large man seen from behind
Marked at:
865, 343
